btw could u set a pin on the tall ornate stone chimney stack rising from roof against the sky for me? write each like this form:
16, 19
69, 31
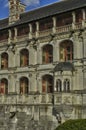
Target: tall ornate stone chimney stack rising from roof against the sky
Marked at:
15, 9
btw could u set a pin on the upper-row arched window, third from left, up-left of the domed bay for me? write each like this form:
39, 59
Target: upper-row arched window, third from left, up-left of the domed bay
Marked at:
47, 54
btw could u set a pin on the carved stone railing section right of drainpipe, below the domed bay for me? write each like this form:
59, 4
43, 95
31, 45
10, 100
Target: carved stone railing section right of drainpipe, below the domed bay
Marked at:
70, 99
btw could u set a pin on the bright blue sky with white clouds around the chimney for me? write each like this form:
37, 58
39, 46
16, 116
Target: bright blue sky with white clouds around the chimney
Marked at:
30, 5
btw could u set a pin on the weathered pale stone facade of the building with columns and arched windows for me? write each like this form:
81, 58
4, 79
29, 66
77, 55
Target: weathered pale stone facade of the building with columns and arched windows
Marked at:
56, 89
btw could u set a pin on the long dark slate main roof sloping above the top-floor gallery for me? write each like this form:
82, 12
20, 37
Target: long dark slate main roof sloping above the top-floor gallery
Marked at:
53, 9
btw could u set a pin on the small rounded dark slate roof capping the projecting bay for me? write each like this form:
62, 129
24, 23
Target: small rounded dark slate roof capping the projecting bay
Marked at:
64, 66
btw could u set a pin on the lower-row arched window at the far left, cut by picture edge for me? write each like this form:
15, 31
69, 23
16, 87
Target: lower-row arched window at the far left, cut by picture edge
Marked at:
4, 86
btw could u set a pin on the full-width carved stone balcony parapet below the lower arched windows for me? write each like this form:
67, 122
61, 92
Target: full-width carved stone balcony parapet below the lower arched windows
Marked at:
34, 99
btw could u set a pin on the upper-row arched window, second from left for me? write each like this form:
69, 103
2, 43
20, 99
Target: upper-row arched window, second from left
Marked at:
24, 56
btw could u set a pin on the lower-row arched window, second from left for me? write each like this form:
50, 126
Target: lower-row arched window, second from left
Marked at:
24, 85
